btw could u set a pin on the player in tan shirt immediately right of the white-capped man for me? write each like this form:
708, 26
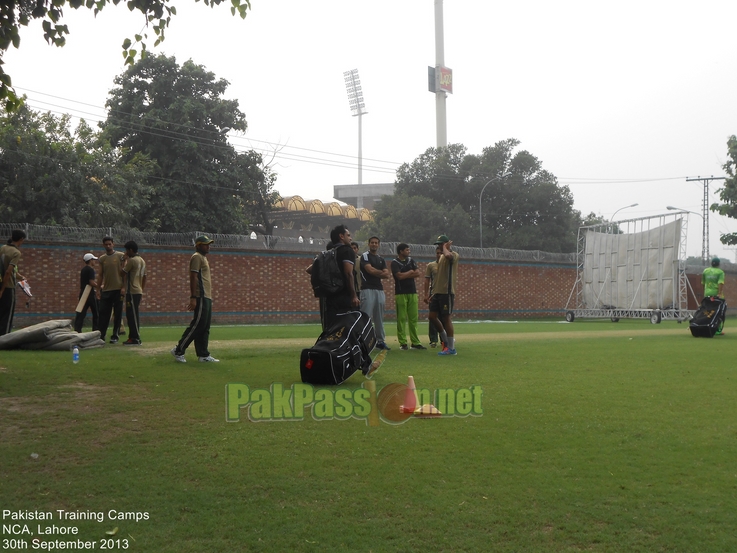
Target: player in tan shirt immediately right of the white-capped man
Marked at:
110, 284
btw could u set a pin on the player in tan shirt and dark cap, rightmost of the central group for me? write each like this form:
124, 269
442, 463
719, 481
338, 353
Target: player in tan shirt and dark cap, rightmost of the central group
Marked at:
441, 303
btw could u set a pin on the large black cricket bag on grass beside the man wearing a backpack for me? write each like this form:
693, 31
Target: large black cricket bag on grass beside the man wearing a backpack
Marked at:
342, 349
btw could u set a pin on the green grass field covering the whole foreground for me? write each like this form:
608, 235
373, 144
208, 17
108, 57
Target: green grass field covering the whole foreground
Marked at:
594, 436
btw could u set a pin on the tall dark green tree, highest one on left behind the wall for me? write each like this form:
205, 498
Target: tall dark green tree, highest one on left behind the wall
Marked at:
177, 116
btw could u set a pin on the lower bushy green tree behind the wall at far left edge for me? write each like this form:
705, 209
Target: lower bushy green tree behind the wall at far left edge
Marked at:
50, 176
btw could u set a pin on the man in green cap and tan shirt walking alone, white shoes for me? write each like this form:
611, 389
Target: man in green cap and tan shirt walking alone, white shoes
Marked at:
200, 301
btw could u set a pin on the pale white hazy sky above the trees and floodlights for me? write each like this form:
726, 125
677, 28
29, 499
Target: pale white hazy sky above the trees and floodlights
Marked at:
621, 101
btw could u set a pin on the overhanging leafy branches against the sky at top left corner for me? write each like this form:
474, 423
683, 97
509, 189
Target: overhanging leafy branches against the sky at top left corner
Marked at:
15, 14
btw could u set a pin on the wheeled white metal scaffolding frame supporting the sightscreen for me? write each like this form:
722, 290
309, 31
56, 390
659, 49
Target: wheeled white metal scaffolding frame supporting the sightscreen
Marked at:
674, 307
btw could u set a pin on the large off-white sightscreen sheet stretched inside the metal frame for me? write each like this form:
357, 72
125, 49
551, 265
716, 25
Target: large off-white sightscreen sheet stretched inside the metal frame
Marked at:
632, 271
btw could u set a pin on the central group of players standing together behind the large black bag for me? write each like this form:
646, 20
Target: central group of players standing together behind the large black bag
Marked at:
363, 289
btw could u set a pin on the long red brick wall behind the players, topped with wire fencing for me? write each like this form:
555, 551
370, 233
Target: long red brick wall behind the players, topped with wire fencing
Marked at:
272, 287
